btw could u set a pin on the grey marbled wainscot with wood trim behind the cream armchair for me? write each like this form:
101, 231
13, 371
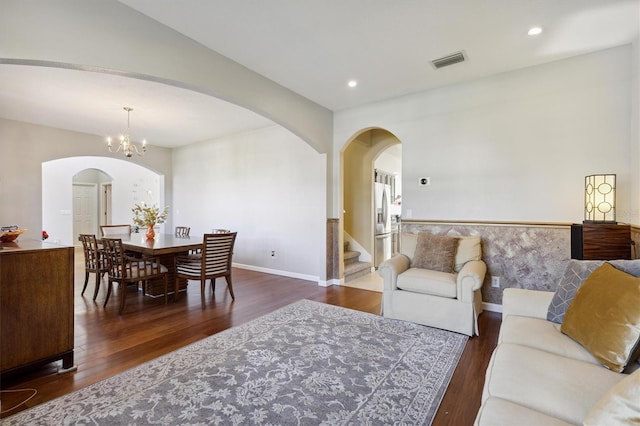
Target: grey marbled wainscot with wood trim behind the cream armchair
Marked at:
522, 255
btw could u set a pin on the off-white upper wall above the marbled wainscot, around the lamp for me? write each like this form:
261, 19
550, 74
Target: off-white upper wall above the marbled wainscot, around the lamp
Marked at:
511, 147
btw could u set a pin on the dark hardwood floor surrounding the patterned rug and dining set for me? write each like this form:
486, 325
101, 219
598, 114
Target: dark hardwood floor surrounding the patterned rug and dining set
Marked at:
107, 343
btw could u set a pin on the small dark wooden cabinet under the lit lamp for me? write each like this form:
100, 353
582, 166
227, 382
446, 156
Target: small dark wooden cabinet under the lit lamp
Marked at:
600, 241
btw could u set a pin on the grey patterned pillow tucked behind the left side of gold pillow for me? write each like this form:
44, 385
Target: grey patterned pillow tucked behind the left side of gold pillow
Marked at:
574, 275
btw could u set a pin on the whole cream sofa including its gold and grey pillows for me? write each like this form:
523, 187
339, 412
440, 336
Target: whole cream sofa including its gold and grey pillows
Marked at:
539, 375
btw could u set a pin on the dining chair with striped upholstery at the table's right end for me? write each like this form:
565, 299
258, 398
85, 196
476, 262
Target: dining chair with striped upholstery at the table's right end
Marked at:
214, 262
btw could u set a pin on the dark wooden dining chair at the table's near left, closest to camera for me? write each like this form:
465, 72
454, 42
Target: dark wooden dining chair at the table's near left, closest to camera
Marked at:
127, 270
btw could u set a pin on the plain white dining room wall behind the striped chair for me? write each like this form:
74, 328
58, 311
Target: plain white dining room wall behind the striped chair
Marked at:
269, 186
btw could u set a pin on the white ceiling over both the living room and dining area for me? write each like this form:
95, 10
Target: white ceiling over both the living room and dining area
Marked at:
314, 49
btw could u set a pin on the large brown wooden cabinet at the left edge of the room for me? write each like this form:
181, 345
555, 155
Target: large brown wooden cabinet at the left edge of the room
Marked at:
36, 305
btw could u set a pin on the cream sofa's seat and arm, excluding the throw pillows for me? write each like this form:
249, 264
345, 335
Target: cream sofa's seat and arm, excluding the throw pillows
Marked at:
539, 376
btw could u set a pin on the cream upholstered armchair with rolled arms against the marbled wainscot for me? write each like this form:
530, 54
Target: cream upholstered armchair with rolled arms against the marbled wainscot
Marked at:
447, 300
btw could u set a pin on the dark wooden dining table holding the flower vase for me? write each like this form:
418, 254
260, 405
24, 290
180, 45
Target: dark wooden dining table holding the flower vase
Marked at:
165, 247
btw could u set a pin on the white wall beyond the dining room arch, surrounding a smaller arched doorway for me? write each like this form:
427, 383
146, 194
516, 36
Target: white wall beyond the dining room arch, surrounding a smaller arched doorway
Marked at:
131, 184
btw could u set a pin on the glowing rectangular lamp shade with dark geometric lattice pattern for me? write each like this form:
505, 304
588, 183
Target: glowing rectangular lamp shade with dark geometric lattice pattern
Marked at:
600, 199
